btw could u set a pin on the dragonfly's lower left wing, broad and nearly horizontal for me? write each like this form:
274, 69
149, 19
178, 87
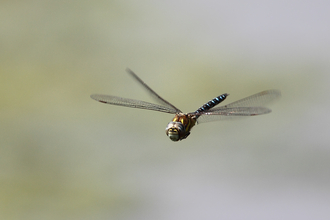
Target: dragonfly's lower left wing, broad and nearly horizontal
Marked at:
132, 103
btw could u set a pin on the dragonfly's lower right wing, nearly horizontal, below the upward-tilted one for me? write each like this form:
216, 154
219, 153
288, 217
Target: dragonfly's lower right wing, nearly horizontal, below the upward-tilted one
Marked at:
231, 113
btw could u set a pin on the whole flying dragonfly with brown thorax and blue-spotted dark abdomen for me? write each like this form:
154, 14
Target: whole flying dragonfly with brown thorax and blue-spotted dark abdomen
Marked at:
182, 123
